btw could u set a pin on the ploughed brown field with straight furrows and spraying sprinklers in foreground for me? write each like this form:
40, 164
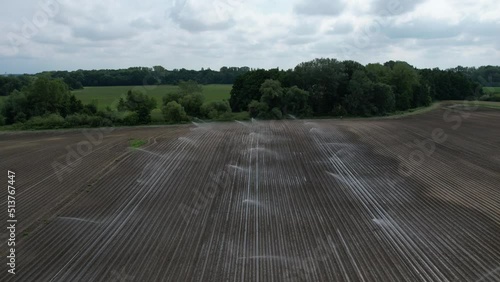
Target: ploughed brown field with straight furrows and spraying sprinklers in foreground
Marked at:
326, 200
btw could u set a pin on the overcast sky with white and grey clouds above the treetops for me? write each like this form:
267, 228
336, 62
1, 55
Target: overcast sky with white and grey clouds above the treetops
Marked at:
42, 35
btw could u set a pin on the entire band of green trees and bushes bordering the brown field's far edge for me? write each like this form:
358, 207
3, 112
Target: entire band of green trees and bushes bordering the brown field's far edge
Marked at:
321, 87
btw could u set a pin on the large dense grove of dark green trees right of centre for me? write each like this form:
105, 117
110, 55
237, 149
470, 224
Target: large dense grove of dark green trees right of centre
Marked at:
328, 87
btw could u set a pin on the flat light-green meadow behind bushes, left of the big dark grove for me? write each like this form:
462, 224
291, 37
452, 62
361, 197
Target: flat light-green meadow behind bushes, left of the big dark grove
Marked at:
106, 96
